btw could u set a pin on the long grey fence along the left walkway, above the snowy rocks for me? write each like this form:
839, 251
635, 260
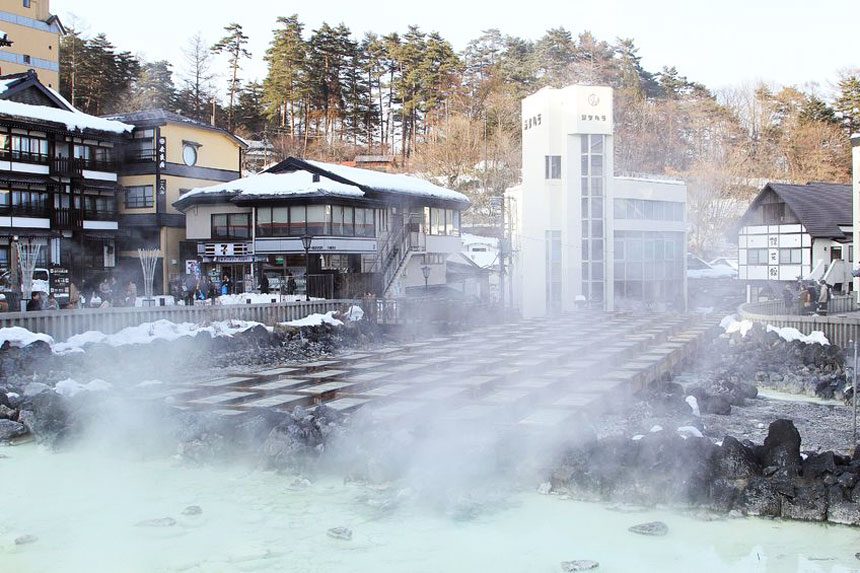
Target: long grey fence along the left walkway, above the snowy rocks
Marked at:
61, 324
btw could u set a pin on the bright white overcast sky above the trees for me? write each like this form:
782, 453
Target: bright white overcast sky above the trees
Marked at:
723, 43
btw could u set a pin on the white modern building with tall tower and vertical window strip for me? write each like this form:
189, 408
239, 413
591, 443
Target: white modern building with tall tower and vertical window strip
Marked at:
579, 234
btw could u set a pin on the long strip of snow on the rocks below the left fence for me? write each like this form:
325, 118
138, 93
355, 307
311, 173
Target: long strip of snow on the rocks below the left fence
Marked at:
149, 331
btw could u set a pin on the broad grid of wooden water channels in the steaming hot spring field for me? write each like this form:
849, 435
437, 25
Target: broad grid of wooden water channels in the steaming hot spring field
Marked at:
532, 374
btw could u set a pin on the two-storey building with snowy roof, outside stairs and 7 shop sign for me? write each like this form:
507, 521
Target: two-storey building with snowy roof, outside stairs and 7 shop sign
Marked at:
369, 231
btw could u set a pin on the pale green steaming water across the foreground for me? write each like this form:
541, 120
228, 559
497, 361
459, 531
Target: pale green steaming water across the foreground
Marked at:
83, 507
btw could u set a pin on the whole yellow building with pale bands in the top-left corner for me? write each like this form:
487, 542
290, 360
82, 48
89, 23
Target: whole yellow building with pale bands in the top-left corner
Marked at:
30, 39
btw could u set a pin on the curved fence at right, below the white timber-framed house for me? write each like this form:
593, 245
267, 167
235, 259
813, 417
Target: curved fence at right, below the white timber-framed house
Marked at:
840, 330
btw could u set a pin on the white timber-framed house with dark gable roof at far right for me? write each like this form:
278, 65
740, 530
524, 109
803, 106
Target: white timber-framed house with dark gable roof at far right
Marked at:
793, 232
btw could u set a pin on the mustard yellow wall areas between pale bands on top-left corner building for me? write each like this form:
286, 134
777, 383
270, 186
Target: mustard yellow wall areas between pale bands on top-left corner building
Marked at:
29, 41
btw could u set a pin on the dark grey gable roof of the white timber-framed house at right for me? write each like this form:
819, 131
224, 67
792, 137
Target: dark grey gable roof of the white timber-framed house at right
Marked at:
820, 207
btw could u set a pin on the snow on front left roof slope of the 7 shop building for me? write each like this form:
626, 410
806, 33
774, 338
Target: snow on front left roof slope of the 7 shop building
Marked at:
297, 183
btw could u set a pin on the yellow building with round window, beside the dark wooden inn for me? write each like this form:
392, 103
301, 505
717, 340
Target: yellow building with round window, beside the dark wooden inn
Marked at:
166, 155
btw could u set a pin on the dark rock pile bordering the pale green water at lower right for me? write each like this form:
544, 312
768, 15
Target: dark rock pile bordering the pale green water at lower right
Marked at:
772, 479
